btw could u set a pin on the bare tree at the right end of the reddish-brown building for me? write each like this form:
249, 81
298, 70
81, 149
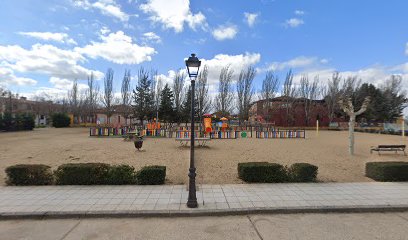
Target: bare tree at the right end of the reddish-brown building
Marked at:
332, 95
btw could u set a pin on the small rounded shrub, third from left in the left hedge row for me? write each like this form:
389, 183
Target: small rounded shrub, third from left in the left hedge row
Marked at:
121, 174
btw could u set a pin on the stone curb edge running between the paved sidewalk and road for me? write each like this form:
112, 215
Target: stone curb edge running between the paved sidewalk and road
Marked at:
200, 212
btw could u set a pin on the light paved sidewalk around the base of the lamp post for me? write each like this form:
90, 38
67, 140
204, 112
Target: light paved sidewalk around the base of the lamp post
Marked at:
170, 200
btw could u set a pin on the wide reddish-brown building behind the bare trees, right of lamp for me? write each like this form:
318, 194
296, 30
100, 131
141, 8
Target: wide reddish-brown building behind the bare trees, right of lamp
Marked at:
285, 111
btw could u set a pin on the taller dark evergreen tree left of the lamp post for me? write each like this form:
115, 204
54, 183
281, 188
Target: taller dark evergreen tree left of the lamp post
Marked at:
142, 96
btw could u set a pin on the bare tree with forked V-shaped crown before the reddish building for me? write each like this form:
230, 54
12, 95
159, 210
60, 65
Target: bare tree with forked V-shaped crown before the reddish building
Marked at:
308, 91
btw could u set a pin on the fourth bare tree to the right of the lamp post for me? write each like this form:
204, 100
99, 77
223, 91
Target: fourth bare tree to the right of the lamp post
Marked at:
270, 86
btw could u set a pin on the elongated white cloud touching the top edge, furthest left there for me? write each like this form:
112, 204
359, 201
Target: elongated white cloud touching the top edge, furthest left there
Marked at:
106, 7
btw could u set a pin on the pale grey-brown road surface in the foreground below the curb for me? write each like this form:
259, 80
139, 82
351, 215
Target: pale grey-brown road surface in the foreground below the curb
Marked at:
387, 226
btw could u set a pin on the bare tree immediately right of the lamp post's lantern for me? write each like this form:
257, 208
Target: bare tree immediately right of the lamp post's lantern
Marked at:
203, 99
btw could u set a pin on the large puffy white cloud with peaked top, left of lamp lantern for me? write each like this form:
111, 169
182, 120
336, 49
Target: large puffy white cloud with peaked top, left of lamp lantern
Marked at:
118, 48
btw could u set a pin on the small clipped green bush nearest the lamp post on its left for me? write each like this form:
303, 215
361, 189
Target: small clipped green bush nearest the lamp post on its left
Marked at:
151, 175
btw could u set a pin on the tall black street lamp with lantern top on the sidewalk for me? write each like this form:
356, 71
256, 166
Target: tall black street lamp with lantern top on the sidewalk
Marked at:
193, 65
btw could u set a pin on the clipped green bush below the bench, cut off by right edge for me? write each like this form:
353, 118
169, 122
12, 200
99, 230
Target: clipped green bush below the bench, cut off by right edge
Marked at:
387, 171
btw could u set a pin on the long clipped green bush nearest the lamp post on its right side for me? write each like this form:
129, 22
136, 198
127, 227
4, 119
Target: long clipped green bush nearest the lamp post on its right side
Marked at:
262, 172
